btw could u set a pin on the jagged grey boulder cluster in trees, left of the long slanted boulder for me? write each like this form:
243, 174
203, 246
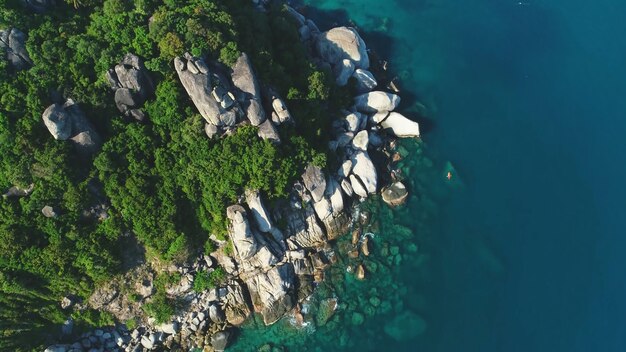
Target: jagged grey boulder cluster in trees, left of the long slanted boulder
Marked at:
132, 85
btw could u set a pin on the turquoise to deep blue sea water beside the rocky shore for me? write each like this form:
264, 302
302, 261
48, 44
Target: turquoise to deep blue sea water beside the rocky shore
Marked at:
525, 250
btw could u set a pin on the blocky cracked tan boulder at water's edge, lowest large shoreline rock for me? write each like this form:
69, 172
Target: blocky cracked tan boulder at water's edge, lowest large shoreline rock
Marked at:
272, 292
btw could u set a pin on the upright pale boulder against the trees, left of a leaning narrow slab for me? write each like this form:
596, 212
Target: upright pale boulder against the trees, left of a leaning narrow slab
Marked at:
240, 232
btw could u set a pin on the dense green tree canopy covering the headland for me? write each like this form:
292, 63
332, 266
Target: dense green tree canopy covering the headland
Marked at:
166, 183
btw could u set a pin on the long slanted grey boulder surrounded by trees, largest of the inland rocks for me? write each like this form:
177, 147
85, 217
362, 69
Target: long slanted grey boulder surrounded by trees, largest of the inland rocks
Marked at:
196, 78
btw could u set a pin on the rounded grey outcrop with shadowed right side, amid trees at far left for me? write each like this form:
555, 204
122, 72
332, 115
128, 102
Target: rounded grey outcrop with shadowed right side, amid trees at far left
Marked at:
67, 121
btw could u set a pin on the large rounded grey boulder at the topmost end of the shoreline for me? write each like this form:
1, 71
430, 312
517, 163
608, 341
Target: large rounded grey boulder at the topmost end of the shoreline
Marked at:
342, 43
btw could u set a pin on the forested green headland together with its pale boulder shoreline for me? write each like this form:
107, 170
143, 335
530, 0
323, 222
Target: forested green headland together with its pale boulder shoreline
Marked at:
217, 186
